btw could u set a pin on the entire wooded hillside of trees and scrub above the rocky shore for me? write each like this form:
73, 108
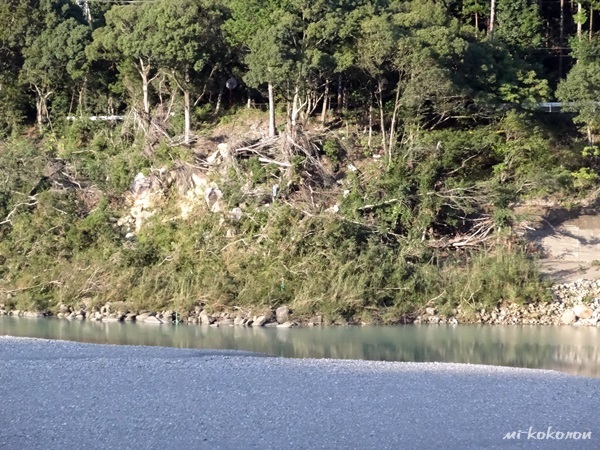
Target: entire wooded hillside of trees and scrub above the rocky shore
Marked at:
395, 139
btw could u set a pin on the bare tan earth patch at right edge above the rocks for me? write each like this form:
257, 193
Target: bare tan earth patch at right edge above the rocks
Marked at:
570, 245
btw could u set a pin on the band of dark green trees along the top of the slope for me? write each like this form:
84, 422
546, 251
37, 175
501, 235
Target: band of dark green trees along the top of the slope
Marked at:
421, 63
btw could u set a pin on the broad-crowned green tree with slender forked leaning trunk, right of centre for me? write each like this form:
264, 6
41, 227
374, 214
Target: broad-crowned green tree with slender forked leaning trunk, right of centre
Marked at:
409, 52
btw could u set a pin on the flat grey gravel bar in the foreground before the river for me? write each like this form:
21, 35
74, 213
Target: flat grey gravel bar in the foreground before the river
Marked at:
64, 395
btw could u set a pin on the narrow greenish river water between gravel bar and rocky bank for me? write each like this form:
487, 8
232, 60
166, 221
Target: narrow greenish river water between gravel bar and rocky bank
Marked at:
570, 349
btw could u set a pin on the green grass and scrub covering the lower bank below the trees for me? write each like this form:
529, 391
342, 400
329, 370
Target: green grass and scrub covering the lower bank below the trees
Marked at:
365, 264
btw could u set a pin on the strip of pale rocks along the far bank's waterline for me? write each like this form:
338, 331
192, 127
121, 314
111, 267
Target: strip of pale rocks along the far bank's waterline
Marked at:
576, 303
